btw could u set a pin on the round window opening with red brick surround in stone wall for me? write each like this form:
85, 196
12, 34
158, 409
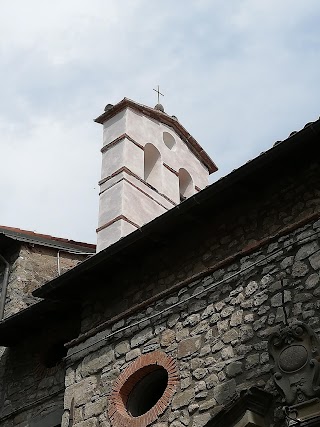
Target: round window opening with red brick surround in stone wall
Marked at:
143, 390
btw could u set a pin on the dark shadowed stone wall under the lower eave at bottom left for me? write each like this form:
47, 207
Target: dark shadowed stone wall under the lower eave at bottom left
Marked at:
32, 373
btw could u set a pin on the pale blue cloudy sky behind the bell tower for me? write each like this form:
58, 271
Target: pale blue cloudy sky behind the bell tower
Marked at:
238, 74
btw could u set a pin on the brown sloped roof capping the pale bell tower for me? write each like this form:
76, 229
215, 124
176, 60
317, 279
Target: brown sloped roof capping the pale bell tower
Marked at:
163, 118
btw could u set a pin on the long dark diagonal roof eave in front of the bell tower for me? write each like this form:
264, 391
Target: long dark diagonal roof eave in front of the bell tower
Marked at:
300, 147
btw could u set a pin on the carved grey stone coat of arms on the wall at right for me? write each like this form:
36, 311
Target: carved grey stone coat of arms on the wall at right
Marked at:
295, 350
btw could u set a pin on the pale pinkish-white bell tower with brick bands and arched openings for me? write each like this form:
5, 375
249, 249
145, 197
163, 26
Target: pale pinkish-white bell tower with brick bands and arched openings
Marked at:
150, 163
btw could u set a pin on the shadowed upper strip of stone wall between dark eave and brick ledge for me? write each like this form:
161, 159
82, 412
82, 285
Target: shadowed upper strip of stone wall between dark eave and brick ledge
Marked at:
248, 217
